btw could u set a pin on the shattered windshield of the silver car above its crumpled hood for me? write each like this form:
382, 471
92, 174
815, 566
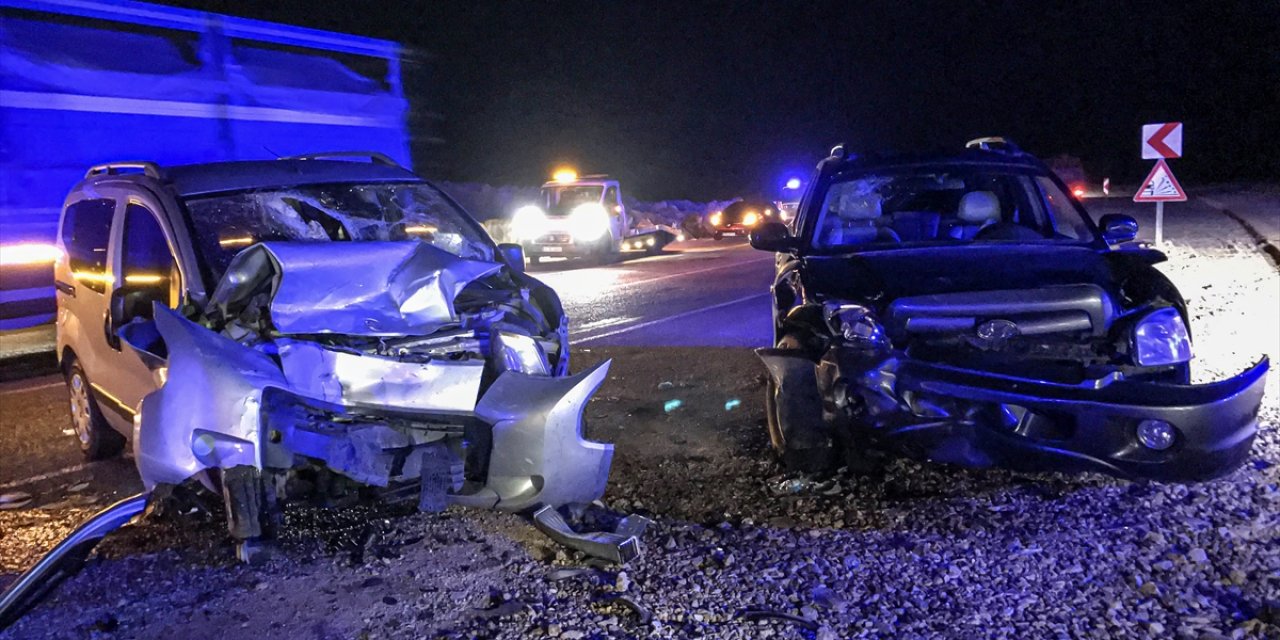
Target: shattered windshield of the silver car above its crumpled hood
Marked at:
227, 223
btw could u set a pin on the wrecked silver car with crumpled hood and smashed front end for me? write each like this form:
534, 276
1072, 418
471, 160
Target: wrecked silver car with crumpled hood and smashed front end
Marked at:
316, 326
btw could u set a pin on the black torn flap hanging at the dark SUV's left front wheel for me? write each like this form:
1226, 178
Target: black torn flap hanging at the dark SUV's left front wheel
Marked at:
798, 403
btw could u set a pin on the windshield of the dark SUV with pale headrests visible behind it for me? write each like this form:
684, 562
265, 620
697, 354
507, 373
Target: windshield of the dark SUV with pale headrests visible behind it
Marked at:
945, 205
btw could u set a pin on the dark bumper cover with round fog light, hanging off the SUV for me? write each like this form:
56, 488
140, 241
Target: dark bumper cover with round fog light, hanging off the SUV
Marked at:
1133, 429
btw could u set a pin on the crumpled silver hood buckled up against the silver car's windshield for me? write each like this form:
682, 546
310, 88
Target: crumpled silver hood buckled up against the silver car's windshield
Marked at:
353, 289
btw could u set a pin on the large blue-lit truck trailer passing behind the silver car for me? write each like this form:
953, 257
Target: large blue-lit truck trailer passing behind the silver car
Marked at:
85, 83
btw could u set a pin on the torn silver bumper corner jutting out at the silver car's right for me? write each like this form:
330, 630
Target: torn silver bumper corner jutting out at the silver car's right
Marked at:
540, 455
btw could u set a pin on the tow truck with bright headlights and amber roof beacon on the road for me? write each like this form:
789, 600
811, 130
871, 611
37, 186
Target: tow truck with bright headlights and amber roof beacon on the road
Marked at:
584, 218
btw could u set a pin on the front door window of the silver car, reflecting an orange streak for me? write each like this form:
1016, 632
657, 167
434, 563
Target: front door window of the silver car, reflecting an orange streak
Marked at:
150, 269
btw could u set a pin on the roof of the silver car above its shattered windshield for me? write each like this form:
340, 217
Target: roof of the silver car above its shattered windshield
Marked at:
196, 180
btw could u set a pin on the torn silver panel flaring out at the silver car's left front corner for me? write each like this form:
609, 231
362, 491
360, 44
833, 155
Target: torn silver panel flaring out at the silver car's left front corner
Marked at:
208, 413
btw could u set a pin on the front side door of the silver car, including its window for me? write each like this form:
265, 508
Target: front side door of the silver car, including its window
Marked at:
149, 276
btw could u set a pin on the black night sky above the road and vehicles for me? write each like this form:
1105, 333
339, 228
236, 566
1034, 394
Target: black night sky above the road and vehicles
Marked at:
700, 100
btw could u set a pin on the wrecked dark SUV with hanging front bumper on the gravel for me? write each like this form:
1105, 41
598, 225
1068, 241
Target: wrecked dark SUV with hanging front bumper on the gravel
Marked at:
966, 309
